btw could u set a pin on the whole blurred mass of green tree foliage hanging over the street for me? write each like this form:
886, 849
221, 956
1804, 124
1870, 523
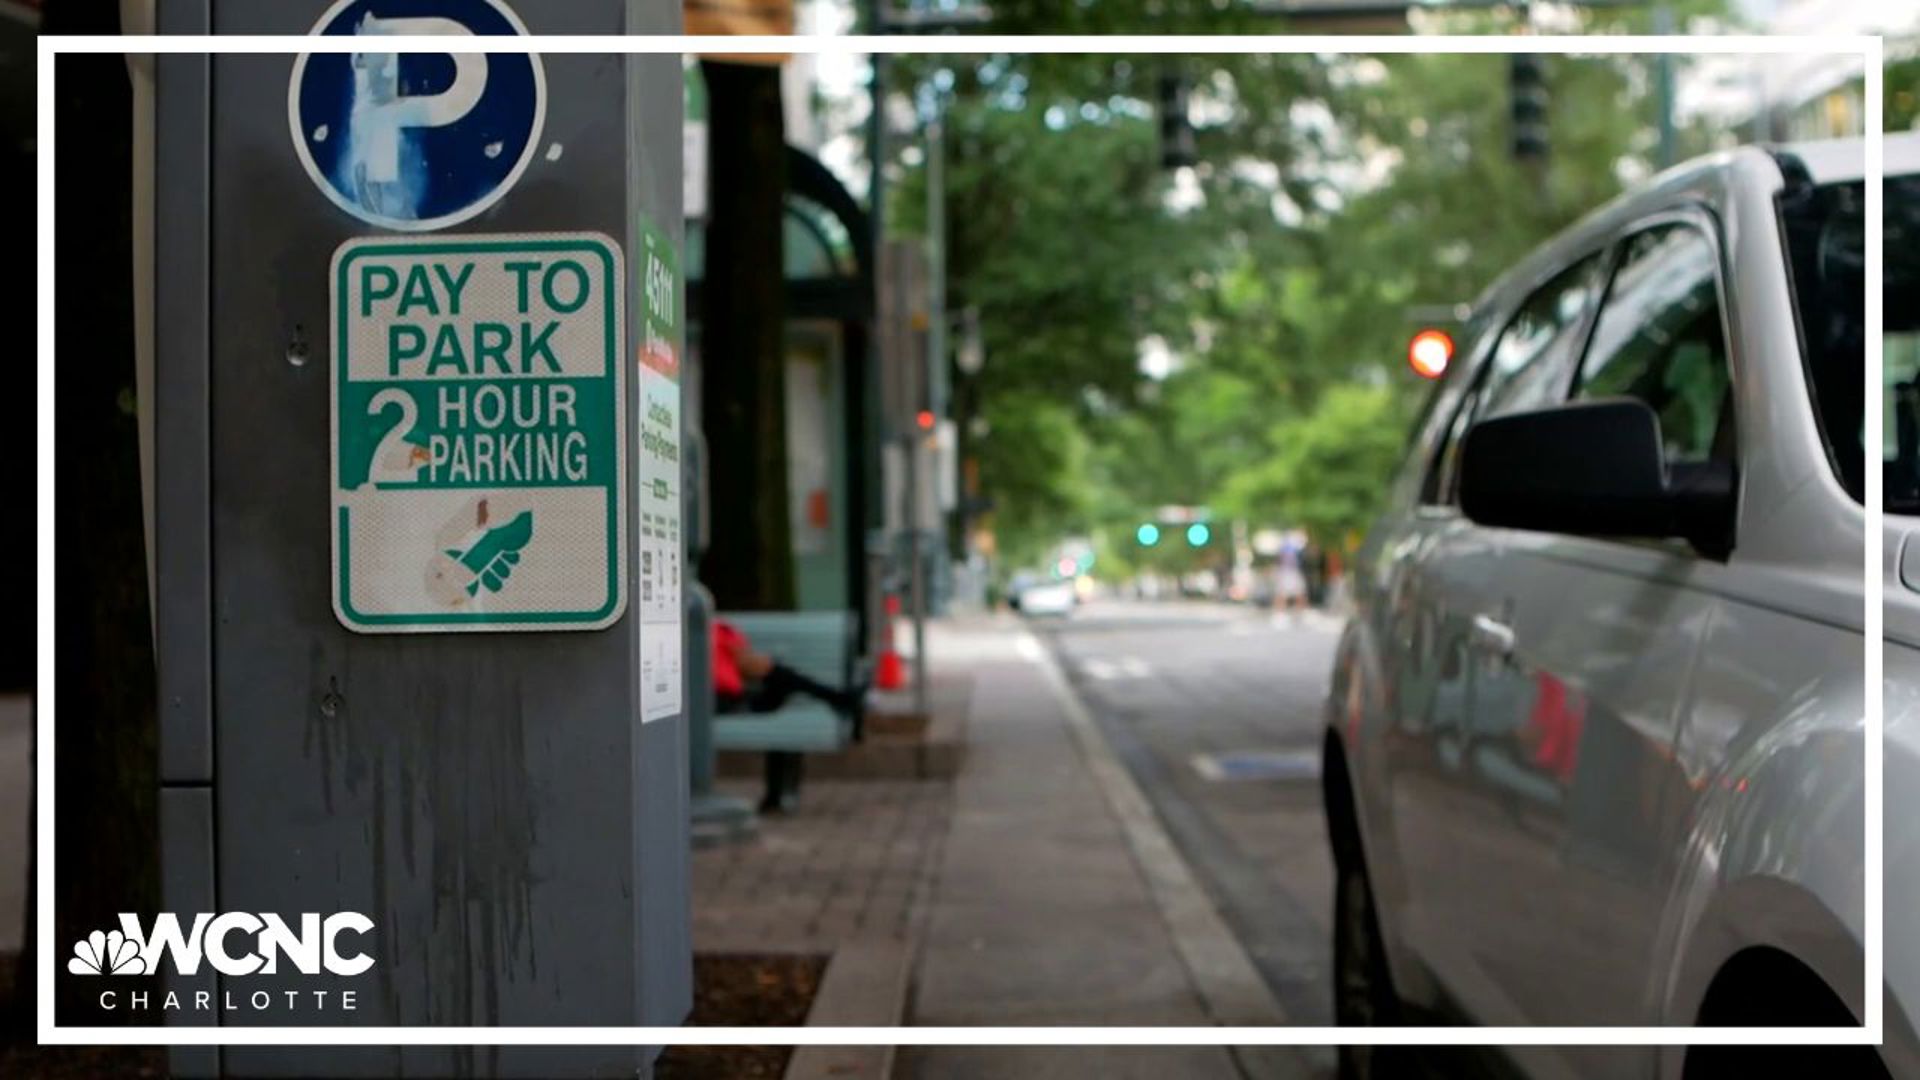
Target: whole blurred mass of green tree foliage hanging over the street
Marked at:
1333, 195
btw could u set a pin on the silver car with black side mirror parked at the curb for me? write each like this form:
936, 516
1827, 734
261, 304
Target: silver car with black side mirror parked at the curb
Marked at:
1595, 743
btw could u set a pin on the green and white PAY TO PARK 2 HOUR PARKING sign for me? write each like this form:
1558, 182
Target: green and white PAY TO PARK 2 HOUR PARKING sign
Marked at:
479, 422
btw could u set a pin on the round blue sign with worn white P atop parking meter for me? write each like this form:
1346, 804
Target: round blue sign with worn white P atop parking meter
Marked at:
416, 141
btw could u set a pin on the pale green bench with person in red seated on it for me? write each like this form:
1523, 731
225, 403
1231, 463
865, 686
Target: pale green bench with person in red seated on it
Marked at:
819, 645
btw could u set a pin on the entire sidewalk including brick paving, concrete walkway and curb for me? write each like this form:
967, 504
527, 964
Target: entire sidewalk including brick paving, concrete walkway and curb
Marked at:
1038, 889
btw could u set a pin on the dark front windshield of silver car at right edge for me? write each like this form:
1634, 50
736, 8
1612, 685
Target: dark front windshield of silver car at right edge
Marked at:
1827, 247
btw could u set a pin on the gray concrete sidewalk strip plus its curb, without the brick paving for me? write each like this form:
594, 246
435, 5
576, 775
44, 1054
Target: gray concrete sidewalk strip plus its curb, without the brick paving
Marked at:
1059, 898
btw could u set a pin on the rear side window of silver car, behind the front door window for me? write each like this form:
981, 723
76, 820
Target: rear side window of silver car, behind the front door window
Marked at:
1527, 366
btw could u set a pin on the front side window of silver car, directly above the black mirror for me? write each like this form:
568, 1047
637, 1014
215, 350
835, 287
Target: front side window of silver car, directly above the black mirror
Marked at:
1660, 339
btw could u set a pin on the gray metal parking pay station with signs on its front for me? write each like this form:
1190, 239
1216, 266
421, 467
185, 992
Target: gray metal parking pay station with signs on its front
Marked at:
420, 531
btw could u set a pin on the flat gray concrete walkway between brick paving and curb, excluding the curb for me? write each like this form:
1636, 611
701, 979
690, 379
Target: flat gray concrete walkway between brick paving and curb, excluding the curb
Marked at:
1042, 914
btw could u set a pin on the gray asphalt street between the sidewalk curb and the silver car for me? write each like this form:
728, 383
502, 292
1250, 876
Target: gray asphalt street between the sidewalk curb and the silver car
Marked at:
1216, 712
